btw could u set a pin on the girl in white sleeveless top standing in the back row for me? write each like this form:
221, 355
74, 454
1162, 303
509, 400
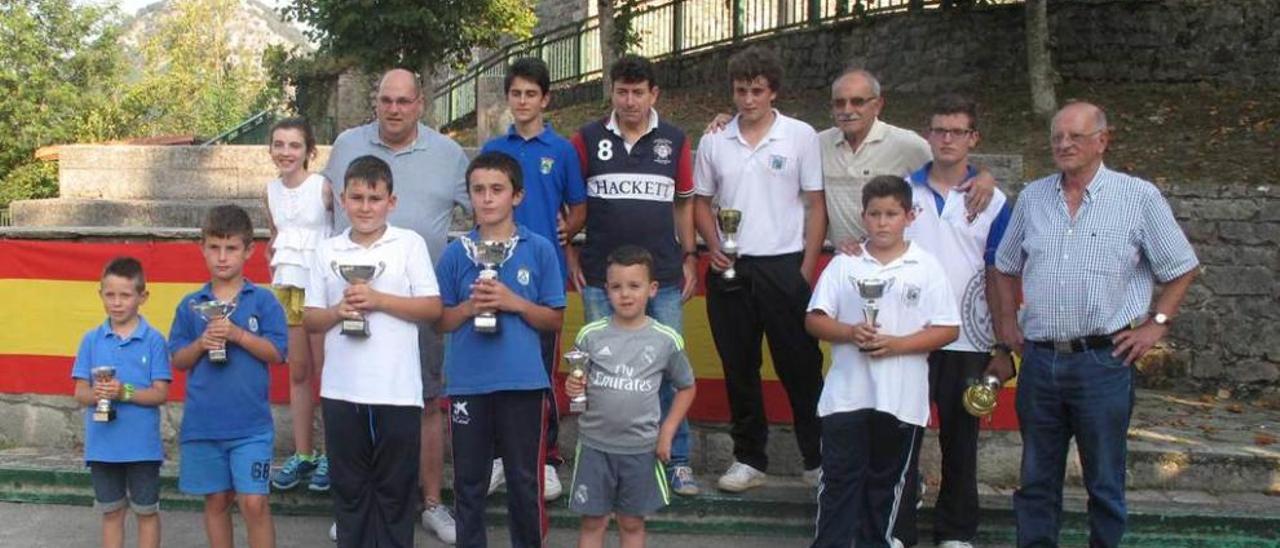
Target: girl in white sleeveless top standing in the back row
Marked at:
300, 214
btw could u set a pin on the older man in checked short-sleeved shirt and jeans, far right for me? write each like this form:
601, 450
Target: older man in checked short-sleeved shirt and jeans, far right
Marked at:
1090, 245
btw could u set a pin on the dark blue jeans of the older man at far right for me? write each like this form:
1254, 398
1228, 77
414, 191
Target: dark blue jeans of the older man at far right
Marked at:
1089, 396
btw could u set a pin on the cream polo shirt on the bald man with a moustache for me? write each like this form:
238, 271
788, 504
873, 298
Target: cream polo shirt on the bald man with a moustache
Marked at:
888, 150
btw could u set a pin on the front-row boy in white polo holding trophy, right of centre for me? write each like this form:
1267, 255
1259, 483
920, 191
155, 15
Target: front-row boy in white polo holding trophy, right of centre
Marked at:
876, 399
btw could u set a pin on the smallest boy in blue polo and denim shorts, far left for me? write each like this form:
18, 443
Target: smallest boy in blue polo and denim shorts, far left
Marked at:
125, 454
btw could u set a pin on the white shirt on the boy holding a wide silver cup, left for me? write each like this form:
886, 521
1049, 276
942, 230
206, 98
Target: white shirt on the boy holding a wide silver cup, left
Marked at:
382, 369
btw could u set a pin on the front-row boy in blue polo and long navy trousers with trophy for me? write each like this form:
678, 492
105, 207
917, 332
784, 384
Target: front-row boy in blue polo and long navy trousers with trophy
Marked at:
496, 381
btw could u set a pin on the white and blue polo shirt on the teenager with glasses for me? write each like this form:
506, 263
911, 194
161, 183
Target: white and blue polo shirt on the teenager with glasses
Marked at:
959, 245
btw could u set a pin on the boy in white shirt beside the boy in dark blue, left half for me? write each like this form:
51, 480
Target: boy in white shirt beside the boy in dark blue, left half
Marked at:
372, 391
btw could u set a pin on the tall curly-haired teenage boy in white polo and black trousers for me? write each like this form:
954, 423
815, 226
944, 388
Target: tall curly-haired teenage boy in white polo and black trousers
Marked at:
766, 166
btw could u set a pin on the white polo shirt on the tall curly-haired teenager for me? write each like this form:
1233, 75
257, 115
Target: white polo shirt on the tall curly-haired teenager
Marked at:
766, 182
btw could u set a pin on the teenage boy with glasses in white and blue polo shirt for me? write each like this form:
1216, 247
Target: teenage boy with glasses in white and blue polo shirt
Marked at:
966, 246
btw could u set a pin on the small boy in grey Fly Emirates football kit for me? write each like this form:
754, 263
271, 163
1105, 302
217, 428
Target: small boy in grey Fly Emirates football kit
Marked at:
621, 446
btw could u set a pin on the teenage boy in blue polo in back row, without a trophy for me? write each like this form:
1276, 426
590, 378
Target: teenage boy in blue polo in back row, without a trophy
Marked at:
554, 185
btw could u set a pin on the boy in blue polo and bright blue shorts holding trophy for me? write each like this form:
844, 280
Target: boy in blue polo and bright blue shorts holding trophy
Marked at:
227, 431
